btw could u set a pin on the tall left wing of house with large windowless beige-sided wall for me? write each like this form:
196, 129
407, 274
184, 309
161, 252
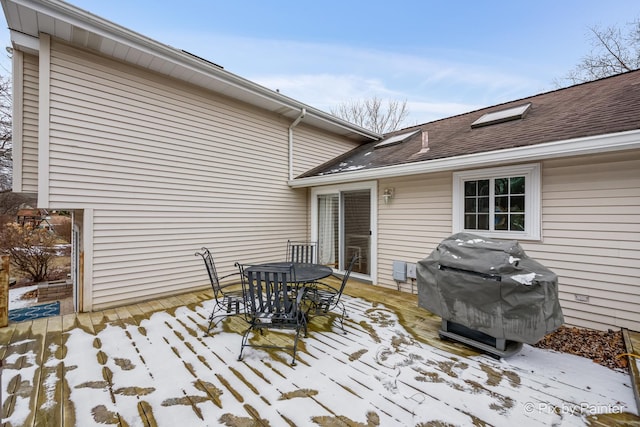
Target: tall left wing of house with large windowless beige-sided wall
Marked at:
156, 153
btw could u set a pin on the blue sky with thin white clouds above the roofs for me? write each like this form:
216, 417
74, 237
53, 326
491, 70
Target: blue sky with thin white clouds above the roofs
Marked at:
442, 57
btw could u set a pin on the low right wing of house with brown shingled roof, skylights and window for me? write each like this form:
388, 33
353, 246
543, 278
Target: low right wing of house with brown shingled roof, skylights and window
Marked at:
559, 172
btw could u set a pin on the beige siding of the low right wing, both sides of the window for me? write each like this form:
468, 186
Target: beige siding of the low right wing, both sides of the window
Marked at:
590, 227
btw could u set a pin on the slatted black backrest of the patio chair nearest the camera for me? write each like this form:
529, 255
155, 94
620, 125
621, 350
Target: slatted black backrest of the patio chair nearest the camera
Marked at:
265, 290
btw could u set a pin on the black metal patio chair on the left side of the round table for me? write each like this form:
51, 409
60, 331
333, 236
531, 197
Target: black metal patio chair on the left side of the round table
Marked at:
227, 302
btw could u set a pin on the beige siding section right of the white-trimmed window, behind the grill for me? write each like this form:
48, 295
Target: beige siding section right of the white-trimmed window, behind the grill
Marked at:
591, 237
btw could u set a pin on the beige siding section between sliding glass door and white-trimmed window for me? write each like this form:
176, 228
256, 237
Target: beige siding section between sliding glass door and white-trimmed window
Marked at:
416, 220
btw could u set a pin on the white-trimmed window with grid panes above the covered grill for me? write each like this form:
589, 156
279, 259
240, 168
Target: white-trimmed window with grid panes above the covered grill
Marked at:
499, 202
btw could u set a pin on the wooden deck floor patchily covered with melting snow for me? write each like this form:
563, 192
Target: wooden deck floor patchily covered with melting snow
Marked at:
150, 364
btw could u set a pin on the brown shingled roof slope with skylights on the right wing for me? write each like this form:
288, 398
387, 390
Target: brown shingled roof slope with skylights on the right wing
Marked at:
605, 106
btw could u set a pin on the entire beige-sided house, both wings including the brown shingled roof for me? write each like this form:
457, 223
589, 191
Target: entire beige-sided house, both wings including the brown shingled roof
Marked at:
158, 152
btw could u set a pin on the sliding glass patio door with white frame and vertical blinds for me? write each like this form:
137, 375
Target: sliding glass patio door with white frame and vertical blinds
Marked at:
343, 227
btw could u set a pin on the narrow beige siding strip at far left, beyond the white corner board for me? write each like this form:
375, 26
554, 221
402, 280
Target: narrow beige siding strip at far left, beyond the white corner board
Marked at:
30, 124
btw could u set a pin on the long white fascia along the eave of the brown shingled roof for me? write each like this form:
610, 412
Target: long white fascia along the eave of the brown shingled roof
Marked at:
572, 147
